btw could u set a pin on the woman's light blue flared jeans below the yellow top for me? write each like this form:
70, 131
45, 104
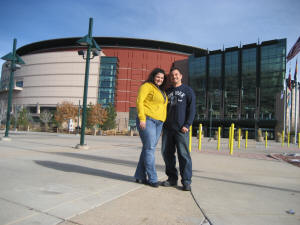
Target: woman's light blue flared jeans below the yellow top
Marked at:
149, 137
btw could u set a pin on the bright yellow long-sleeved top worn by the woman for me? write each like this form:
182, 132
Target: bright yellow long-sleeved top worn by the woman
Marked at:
151, 102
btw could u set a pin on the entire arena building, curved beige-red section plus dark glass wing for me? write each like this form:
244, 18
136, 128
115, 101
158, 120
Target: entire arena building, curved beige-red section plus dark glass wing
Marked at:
242, 85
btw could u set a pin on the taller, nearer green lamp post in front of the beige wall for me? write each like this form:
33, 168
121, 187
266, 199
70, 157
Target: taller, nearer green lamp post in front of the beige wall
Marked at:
93, 47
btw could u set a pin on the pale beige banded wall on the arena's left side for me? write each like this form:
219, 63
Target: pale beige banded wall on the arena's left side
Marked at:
53, 77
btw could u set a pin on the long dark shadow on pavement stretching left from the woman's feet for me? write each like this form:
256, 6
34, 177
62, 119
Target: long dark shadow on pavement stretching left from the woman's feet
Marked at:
83, 170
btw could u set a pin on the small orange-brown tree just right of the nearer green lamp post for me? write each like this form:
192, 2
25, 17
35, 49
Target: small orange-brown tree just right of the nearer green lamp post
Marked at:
96, 115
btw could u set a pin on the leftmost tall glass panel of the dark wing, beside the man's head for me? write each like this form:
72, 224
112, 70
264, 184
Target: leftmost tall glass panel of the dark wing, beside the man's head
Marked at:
197, 80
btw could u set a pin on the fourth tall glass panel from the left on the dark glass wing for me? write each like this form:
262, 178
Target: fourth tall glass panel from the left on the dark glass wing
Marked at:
248, 83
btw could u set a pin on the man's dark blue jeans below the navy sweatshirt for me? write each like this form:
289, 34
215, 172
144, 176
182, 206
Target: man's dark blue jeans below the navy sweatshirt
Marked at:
172, 140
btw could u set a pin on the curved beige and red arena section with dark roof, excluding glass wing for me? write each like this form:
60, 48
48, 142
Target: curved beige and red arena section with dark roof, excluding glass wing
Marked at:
54, 72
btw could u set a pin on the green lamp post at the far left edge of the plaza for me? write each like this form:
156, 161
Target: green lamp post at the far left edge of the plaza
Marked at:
15, 62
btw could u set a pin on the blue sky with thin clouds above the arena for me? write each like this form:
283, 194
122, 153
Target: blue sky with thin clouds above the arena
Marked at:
208, 24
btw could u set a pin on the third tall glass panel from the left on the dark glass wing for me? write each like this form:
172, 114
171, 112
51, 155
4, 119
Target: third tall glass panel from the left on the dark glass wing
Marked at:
231, 85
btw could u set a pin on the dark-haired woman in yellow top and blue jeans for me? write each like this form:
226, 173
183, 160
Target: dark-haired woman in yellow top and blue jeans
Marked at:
152, 111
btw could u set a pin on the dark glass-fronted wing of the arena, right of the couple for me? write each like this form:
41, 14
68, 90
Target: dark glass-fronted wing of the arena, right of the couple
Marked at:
241, 85
